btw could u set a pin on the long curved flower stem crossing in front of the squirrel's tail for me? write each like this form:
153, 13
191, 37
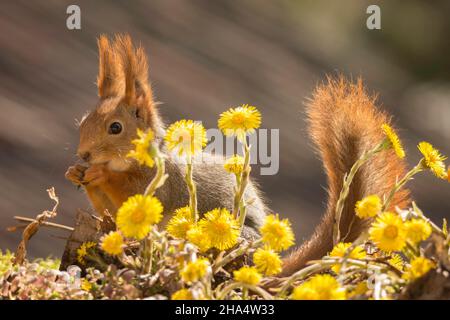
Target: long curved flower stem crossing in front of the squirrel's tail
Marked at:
366, 156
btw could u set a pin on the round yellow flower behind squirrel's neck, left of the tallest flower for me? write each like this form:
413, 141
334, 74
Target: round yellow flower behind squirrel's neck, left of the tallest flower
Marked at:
186, 137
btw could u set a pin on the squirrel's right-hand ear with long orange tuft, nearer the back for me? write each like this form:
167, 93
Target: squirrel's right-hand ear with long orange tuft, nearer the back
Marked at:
135, 68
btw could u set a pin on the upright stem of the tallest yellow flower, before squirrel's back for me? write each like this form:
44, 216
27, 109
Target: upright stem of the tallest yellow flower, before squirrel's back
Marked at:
239, 208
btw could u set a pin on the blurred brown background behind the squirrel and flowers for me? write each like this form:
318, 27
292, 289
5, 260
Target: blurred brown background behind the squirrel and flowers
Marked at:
204, 57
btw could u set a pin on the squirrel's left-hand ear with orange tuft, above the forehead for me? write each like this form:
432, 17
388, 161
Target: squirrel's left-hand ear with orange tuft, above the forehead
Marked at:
110, 79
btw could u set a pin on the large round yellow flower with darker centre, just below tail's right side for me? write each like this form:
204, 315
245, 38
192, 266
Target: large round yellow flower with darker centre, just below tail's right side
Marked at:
388, 232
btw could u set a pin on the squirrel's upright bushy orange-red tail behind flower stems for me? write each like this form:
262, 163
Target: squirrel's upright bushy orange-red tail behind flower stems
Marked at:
344, 122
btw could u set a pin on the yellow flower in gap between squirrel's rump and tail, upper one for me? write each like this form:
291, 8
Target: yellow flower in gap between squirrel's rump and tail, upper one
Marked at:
276, 233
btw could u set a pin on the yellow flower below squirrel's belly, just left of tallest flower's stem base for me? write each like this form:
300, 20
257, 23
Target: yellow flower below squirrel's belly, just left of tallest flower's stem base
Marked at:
221, 228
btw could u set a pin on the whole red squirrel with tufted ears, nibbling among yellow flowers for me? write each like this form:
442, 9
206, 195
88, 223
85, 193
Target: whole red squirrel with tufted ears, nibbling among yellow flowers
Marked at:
343, 122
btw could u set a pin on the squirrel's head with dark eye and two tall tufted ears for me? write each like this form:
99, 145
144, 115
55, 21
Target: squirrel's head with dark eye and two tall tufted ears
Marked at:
126, 104
